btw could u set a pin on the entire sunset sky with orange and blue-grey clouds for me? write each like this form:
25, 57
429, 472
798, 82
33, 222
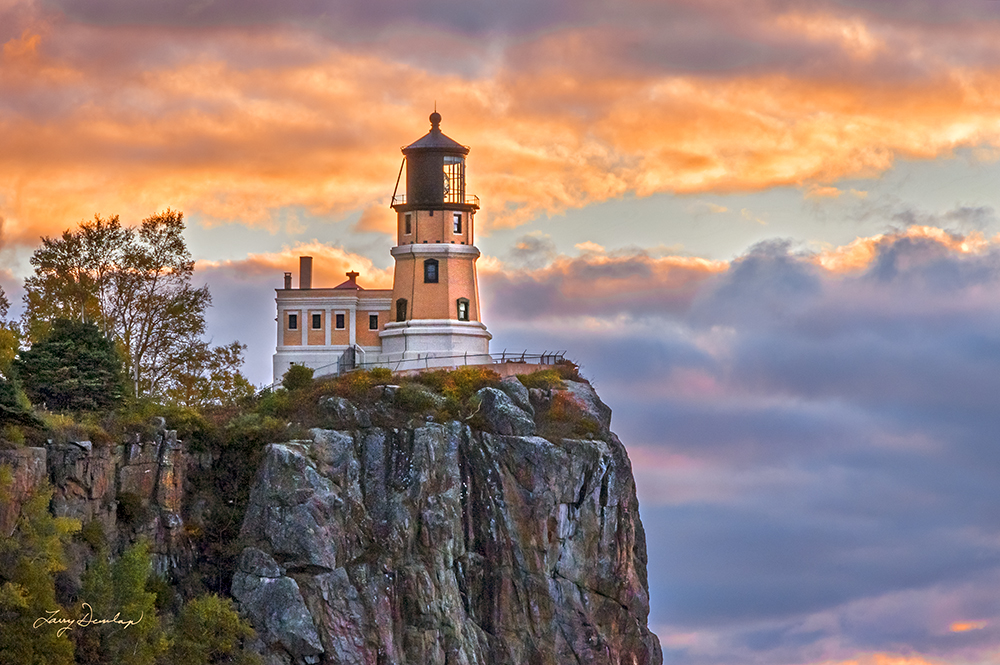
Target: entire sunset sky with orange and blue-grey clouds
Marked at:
767, 230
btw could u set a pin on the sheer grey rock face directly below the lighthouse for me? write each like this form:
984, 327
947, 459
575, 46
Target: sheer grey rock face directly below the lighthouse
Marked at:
442, 544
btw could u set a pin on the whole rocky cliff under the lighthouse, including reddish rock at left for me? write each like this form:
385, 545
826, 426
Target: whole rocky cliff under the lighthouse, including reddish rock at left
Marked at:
402, 531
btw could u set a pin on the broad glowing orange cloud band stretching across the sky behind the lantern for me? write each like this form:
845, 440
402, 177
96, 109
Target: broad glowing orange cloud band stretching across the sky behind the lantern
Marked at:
274, 118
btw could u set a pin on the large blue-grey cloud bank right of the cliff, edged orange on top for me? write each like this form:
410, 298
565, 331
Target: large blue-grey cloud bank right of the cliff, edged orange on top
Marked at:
813, 437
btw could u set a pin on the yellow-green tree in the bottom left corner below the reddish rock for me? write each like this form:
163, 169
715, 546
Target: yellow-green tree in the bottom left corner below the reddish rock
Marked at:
29, 559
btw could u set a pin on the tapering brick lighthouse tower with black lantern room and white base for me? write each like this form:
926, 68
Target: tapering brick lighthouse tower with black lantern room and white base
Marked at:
435, 294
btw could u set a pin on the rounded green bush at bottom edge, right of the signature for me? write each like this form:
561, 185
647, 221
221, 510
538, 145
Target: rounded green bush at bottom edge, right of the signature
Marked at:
210, 632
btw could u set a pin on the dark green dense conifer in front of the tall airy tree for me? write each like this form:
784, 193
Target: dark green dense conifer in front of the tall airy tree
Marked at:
75, 368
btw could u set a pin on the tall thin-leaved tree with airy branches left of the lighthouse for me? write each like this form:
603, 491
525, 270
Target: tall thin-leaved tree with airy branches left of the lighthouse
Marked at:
134, 283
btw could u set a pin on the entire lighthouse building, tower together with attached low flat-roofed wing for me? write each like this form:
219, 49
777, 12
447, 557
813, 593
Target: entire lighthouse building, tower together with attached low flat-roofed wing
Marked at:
430, 317
